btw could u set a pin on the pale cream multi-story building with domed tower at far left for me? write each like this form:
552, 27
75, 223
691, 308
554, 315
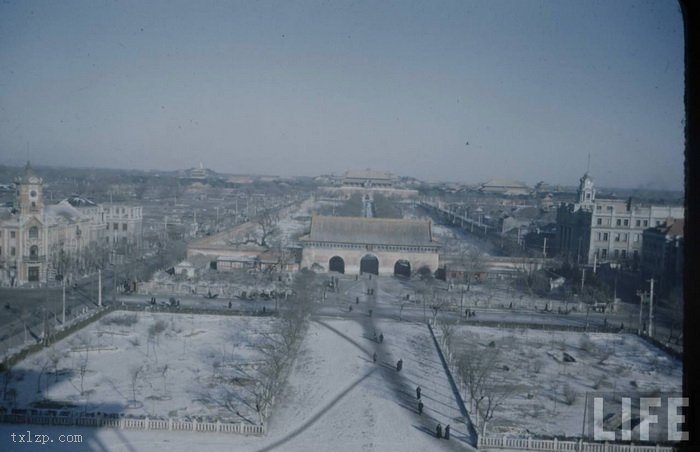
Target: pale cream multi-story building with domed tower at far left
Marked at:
38, 242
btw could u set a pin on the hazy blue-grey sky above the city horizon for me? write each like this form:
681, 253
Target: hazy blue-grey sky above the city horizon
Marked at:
305, 88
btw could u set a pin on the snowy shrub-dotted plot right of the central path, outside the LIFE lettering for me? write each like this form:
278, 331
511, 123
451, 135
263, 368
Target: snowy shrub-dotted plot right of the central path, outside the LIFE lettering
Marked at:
550, 393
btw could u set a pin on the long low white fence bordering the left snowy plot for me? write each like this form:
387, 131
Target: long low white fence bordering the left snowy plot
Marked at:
136, 424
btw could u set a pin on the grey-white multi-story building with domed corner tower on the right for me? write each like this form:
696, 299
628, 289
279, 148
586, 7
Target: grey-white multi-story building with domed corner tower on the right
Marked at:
606, 230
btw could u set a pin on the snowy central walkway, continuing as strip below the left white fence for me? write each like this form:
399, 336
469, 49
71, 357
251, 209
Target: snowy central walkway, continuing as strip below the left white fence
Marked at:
336, 399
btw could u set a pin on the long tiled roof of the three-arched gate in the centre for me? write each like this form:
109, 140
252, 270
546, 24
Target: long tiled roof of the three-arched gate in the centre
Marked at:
377, 231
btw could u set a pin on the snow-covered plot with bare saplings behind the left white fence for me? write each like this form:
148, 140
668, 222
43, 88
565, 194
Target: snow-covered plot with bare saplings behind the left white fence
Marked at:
149, 364
